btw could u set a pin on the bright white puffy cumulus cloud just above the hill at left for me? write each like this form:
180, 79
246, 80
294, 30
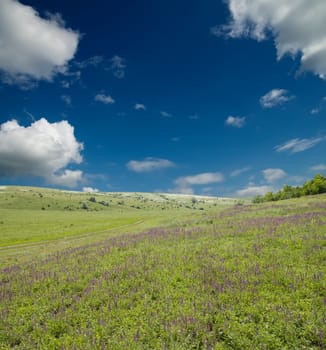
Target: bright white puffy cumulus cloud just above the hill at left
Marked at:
42, 149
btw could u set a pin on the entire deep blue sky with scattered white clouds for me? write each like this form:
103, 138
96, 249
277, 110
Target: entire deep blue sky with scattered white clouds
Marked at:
223, 98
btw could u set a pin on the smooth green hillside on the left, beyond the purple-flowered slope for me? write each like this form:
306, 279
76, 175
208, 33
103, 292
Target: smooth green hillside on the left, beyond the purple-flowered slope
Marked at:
33, 215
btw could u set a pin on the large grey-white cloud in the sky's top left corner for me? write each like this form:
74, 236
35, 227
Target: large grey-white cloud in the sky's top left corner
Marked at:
33, 48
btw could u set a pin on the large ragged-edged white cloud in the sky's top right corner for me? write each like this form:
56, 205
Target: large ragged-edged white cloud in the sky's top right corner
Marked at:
288, 22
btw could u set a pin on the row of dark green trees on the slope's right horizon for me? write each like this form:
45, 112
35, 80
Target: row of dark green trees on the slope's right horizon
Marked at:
315, 186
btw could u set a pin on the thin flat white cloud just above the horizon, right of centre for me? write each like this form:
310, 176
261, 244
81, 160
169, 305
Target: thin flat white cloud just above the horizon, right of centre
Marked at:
184, 184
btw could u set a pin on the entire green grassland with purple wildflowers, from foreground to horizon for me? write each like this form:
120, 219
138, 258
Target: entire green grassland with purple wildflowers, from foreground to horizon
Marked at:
155, 271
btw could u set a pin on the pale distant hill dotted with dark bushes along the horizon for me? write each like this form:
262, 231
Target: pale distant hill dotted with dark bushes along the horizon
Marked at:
21, 197
